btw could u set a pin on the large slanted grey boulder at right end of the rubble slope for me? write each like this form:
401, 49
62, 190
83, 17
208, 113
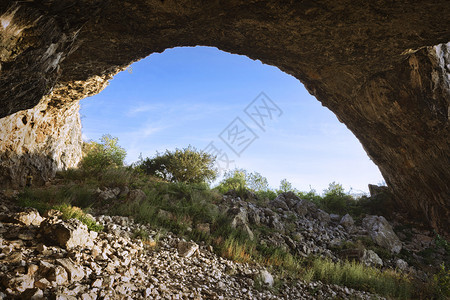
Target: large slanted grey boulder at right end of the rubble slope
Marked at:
382, 233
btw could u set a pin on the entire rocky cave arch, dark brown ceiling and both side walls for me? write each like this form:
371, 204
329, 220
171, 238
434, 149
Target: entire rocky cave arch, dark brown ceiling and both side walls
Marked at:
382, 67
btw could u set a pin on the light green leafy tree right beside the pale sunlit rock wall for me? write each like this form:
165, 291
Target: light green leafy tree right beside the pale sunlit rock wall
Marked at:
99, 156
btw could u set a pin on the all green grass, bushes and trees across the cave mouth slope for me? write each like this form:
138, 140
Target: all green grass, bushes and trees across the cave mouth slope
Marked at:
177, 199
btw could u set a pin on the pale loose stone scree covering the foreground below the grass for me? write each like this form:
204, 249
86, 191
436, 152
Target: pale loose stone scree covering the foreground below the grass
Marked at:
35, 264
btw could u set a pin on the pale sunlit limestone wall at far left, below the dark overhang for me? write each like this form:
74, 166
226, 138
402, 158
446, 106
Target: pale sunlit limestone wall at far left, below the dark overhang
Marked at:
34, 143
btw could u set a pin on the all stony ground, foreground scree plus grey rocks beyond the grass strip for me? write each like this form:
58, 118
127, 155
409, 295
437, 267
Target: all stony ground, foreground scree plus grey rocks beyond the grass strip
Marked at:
45, 257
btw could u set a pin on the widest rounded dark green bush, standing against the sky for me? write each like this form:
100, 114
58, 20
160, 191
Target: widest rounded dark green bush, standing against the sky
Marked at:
186, 165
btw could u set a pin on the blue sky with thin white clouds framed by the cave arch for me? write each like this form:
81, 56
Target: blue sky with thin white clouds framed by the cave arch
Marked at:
190, 95
